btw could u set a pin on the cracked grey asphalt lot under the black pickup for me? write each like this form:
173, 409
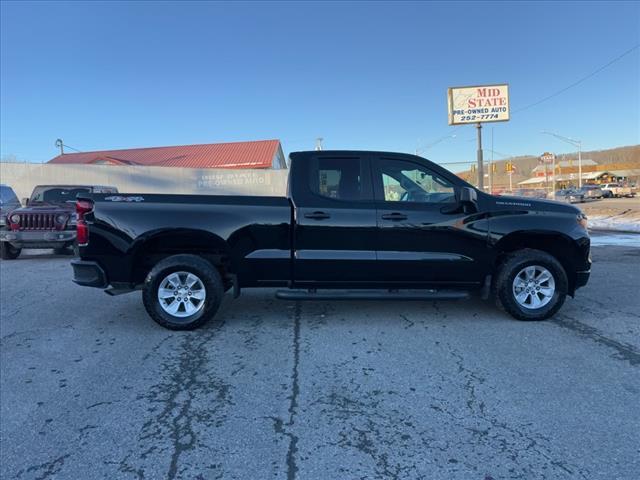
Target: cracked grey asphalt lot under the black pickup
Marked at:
91, 388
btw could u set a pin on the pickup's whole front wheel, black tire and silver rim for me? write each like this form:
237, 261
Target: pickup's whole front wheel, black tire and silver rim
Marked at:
531, 285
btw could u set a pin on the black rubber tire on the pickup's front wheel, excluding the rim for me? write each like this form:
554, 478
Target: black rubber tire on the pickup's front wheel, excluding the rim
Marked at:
514, 264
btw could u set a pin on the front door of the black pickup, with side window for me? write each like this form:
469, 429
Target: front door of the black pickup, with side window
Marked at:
422, 238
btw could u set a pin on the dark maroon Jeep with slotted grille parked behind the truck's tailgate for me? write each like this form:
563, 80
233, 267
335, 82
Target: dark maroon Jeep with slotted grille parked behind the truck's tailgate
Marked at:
47, 220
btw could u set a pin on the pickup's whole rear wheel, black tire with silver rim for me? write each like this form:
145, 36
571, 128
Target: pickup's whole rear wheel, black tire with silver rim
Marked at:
182, 292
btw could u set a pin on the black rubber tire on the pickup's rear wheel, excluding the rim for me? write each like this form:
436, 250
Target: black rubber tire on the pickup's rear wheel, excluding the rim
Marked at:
201, 268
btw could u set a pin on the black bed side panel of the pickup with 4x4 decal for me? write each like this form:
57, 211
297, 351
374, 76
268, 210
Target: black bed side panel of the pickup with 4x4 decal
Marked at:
247, 229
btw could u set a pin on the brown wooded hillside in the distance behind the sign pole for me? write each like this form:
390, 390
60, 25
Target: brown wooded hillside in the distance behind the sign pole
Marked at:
524, 164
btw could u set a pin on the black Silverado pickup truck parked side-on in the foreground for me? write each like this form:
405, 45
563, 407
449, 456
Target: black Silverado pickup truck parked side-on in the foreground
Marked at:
354, 225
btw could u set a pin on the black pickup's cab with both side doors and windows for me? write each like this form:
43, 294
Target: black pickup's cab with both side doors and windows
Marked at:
383, 219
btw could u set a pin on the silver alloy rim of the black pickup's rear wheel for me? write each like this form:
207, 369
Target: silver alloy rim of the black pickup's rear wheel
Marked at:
181, 294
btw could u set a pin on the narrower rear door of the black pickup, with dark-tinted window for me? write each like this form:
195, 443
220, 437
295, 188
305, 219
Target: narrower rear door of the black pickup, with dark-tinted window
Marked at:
335, 221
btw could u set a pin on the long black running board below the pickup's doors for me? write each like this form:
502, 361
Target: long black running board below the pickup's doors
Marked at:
371, 294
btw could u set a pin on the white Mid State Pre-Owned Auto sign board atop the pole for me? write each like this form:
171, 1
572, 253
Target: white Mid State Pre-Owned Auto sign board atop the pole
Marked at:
484, 103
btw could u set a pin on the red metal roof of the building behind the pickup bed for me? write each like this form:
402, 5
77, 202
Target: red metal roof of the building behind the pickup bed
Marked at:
265, 154
